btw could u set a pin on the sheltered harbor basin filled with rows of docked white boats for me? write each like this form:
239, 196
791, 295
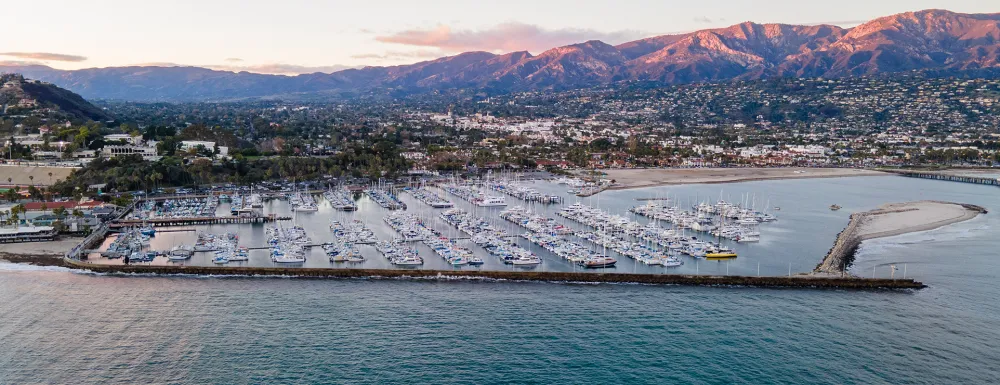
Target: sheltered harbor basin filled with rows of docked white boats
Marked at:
793, 244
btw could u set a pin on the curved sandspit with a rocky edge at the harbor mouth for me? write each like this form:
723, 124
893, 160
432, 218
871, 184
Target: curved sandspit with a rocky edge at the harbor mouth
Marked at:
890, 220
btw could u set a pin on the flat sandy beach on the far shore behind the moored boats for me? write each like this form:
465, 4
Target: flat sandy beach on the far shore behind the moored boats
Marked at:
626, 179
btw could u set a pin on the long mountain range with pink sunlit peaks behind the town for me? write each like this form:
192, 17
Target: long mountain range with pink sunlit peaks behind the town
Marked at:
924, 40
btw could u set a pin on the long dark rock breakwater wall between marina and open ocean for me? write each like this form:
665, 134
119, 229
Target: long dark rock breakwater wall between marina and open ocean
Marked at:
569, 277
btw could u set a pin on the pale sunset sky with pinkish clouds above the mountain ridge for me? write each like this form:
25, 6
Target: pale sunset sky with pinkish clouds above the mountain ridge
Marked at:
297, 36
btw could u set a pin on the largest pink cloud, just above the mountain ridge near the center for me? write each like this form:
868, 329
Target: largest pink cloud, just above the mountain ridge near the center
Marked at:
505, 37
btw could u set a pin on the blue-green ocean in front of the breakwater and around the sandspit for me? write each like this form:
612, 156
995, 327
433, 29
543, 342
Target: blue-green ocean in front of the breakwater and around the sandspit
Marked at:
62, 326
